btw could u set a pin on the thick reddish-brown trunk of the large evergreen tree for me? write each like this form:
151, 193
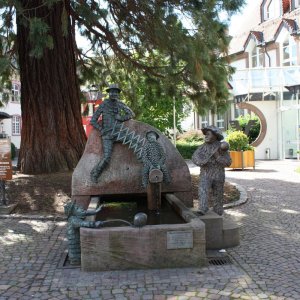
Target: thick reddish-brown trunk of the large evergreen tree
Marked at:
53, 137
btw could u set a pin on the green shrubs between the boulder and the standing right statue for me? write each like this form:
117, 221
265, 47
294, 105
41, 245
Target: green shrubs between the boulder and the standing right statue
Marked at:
188, 142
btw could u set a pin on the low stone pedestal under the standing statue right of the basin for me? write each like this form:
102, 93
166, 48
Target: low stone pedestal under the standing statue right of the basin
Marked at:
220, 233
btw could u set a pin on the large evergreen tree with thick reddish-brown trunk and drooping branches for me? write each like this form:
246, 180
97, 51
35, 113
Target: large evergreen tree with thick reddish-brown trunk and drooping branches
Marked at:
176, 43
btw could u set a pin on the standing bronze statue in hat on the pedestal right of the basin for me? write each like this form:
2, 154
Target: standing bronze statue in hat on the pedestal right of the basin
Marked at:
212, 157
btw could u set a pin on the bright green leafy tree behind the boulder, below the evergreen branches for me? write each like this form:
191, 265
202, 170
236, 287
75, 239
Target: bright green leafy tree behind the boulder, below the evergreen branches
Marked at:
150, 101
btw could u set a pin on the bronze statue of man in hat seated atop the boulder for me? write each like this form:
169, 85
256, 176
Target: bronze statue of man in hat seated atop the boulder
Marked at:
114, 113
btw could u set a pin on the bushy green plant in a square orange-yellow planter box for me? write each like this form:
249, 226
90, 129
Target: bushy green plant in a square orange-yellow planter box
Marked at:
241, 153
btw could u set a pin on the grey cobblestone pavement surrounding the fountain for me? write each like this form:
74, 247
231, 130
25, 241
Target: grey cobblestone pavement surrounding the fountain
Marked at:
265, 266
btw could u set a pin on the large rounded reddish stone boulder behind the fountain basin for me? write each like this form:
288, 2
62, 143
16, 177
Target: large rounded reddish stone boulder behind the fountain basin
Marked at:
124, 172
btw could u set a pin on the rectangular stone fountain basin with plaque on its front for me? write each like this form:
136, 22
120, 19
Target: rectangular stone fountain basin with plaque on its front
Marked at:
152, 246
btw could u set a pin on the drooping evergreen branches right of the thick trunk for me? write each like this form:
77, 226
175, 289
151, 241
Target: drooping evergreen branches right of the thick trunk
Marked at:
178, 59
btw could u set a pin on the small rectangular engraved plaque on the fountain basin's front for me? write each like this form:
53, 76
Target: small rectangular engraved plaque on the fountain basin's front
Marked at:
180, 239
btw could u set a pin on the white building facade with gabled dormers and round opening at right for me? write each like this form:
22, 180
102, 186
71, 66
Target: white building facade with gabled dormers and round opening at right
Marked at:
266, 56
